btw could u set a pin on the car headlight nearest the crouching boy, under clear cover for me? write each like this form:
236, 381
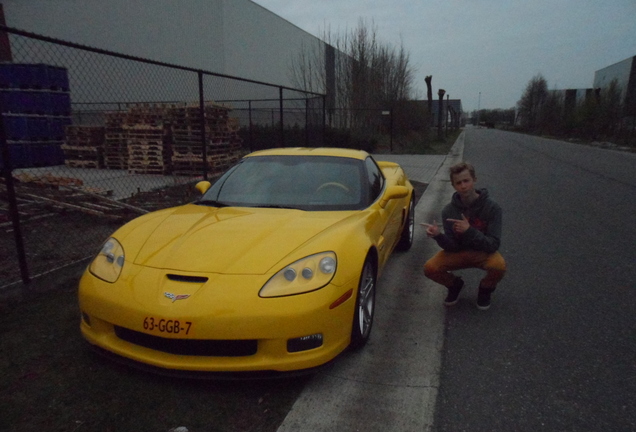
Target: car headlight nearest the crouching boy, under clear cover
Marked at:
308, 274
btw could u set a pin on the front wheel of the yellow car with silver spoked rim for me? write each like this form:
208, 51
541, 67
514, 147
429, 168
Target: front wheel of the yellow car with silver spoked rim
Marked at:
365, 306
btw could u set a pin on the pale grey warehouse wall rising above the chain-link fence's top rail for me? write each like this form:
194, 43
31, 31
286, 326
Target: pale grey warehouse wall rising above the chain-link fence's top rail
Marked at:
232, 37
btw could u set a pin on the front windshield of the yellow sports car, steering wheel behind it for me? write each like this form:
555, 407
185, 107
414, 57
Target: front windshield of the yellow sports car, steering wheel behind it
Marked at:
301, 182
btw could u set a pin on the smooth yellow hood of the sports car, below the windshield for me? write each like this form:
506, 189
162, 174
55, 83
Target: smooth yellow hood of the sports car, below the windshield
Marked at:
227, 240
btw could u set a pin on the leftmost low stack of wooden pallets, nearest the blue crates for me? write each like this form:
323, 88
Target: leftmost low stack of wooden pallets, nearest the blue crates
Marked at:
84, 146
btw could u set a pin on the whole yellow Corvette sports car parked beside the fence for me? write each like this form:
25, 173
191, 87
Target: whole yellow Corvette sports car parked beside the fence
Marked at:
272, 270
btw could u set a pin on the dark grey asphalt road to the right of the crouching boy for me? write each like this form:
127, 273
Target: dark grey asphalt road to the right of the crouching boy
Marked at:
557, 349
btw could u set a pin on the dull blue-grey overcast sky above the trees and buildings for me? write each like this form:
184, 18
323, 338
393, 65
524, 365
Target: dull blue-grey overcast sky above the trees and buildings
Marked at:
492, 47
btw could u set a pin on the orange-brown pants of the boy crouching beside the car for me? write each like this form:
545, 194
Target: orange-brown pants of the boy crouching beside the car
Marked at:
440, 266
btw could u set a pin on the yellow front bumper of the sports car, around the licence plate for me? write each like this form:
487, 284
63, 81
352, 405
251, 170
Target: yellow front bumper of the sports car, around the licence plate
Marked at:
237, 330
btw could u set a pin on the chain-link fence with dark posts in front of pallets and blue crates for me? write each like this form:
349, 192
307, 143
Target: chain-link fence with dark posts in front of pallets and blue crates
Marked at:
91, 139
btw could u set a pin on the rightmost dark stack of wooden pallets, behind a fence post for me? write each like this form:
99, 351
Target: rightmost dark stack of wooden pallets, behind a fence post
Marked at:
222, 143
